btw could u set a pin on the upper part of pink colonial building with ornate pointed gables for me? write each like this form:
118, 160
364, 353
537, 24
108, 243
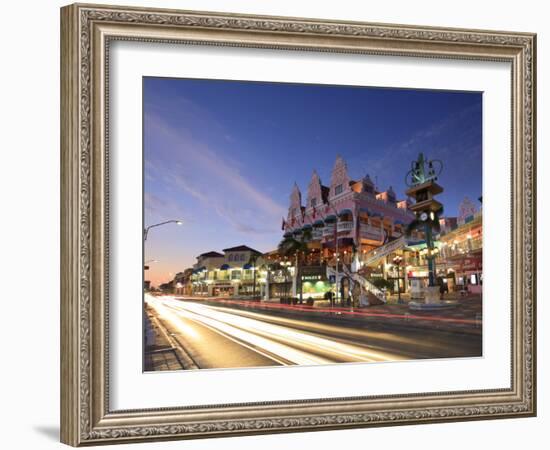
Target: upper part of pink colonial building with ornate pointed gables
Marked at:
353, 212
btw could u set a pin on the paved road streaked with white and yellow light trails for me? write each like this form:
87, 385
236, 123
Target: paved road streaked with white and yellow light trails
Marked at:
224, 337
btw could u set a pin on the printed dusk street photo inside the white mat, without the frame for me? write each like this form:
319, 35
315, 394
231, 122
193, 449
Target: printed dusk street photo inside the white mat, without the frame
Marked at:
296, 224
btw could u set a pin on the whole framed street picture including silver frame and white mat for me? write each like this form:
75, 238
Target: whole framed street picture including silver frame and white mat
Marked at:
275, 224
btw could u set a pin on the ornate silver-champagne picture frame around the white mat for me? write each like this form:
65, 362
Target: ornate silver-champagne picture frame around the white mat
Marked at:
87, 32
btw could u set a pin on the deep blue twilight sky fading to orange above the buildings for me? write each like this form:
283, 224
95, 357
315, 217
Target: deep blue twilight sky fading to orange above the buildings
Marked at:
223, 155
